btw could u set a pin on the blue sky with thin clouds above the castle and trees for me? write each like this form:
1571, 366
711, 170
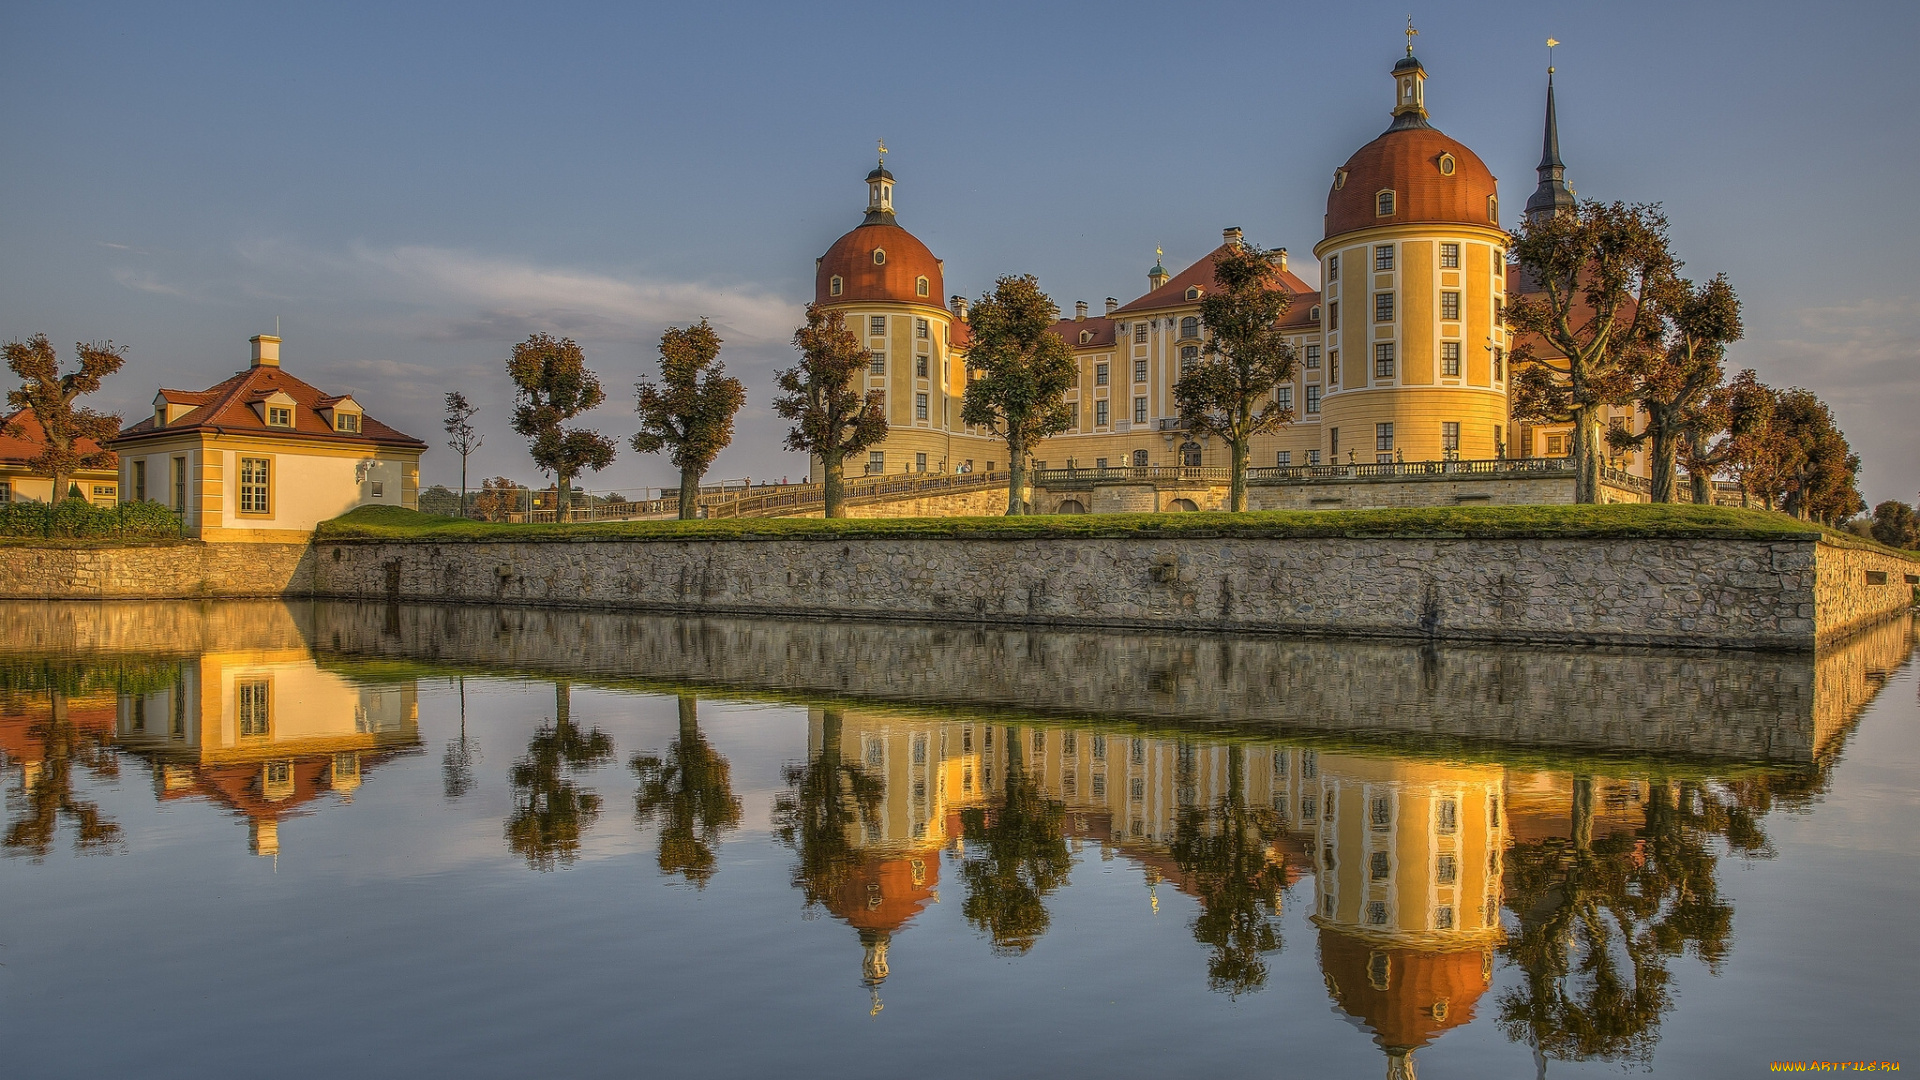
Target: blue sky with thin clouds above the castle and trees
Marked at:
412, 189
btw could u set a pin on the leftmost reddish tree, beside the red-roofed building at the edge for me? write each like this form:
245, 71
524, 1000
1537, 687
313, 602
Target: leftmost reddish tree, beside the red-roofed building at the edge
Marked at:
53, 399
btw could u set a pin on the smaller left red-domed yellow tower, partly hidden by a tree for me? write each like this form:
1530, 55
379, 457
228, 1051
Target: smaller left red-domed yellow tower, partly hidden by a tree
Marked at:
890, 285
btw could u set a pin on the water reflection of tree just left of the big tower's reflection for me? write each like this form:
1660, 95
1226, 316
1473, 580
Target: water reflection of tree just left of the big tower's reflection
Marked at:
1226, 854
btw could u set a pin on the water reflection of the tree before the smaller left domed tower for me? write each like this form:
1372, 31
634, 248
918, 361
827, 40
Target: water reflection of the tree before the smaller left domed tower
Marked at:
815, 816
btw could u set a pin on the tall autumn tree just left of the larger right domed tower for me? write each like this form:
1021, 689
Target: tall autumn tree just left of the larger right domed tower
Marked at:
1230, 393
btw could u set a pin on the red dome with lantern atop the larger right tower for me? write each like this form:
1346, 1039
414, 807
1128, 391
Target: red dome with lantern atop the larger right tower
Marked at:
1435, 180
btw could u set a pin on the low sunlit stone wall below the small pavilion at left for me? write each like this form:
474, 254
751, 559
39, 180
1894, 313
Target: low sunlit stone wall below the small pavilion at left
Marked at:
155, 572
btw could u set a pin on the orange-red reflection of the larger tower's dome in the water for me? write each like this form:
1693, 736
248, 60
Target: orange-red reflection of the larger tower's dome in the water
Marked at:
1404, 996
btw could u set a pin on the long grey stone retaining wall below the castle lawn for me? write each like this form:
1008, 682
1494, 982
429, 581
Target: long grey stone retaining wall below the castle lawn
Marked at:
1671, 593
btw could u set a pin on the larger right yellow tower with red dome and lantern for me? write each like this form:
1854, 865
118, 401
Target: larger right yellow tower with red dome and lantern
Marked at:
1414, 285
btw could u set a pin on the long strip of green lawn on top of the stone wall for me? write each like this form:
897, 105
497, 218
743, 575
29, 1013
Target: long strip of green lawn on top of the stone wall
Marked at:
1477, 522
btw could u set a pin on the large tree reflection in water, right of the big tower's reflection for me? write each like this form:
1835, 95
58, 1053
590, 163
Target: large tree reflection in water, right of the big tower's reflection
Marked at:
1602, 918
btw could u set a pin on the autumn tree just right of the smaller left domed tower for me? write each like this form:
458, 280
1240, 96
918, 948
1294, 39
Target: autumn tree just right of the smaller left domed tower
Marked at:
1019, 376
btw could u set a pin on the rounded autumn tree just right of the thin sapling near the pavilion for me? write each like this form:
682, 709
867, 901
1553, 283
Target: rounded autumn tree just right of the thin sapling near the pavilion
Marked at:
552, 387
